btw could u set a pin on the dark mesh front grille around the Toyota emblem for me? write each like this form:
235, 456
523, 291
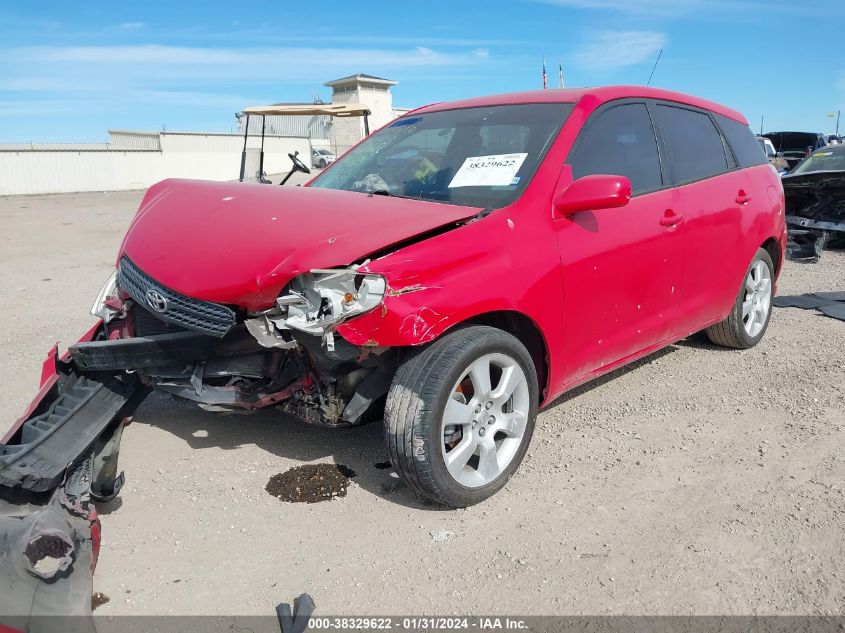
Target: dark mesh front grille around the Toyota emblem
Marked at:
192, 314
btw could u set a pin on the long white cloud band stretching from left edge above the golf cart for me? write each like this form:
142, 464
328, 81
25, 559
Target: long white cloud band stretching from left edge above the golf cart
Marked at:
186, 75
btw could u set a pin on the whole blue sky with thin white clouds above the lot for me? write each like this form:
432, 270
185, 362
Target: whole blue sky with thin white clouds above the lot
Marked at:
71, 70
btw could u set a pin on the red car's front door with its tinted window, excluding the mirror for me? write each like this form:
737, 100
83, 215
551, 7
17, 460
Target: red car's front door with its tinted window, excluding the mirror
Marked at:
622, 268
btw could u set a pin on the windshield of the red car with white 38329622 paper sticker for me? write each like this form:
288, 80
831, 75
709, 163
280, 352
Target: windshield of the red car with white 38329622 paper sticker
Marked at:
479, 157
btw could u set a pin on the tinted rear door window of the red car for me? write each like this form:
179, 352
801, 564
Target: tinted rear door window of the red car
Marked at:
695, 148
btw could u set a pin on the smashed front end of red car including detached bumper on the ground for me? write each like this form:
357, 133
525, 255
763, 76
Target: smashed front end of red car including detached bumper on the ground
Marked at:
61, 456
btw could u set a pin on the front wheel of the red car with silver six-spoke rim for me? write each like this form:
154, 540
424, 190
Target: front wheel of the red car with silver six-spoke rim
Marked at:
482, 451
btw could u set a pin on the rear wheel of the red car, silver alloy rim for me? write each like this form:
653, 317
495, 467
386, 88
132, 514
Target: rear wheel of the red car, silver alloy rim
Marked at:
739, 330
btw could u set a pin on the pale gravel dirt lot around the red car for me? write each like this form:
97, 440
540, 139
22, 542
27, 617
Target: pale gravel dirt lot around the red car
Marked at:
700, 481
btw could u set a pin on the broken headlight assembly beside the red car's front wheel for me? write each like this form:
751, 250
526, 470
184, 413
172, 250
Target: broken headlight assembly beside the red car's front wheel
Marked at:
318, 300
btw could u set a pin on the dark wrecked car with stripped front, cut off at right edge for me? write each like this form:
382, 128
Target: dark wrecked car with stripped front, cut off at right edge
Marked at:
815, 203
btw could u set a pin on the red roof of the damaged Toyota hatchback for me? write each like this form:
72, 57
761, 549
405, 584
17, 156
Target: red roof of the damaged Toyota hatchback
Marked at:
573, 95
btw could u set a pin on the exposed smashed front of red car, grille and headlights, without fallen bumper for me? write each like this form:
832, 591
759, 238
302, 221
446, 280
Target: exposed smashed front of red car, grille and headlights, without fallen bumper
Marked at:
224, 358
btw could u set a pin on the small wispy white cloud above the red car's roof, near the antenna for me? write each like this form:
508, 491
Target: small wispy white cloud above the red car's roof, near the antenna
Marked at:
608, 50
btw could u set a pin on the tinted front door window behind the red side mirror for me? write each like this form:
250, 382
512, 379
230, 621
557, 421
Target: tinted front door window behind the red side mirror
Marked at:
619, 141
